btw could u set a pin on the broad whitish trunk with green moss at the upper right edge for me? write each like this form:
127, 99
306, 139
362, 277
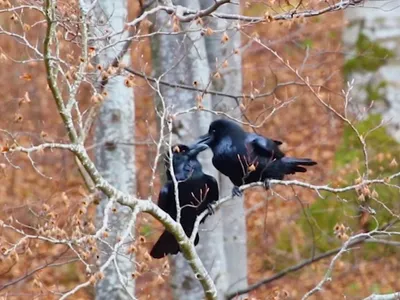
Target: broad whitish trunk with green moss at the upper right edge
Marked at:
380, 22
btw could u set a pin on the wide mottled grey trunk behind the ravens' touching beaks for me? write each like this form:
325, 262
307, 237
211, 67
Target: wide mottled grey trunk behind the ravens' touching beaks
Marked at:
185, 59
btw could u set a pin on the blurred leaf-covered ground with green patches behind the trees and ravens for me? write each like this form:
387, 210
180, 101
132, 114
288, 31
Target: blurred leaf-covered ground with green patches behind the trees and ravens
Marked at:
282, 231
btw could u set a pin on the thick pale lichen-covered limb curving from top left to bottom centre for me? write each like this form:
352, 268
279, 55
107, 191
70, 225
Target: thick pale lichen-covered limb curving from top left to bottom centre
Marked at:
135, 204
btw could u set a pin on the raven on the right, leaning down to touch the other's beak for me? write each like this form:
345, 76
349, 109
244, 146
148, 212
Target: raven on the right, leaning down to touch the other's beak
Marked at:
248, 157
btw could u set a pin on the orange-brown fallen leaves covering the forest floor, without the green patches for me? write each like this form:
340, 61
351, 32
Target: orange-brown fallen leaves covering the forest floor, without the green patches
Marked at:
29, 113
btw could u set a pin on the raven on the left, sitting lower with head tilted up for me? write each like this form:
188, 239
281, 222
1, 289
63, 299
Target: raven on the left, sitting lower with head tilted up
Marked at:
196, 192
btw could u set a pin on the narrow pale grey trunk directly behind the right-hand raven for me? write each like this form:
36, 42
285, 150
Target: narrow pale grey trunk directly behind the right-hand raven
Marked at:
233, 212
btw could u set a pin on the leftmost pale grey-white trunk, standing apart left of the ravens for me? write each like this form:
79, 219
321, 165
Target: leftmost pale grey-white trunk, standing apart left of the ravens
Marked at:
115, 161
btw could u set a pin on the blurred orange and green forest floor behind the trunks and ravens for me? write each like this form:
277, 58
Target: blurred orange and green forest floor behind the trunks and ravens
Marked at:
43, 192
